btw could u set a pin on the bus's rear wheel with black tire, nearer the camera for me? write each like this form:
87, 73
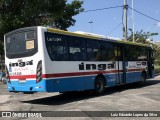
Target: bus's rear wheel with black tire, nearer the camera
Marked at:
99, 85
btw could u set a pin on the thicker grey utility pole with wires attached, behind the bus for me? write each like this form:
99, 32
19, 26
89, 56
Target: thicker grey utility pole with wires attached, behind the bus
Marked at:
125, 7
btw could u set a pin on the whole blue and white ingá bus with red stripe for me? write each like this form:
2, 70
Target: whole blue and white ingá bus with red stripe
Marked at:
41, 59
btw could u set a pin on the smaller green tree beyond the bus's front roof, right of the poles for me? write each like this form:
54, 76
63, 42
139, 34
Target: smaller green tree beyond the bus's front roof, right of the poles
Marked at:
140, 36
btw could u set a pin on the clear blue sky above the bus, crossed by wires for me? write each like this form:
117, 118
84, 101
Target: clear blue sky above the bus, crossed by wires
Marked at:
108, 22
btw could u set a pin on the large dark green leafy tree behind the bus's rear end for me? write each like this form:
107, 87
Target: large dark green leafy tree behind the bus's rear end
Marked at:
16, 14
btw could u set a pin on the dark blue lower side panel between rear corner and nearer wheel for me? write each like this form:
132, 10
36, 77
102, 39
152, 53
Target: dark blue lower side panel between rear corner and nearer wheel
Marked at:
70, 84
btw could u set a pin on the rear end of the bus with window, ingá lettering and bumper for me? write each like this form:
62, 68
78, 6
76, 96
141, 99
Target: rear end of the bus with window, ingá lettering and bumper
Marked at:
23, 59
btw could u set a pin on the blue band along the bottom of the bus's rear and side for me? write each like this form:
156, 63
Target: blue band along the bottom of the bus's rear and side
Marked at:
69, 84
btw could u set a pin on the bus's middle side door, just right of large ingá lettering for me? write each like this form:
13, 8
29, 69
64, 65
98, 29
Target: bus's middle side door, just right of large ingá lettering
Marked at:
120, 65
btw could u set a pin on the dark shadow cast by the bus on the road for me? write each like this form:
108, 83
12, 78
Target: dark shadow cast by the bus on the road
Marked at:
77, 96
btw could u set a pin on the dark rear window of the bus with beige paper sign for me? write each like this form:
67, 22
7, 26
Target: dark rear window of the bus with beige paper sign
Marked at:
21, 43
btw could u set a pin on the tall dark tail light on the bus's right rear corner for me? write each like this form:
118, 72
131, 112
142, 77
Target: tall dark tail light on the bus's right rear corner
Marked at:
39, 72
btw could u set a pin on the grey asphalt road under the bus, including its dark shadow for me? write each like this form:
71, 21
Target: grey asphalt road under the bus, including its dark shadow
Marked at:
131, 97
